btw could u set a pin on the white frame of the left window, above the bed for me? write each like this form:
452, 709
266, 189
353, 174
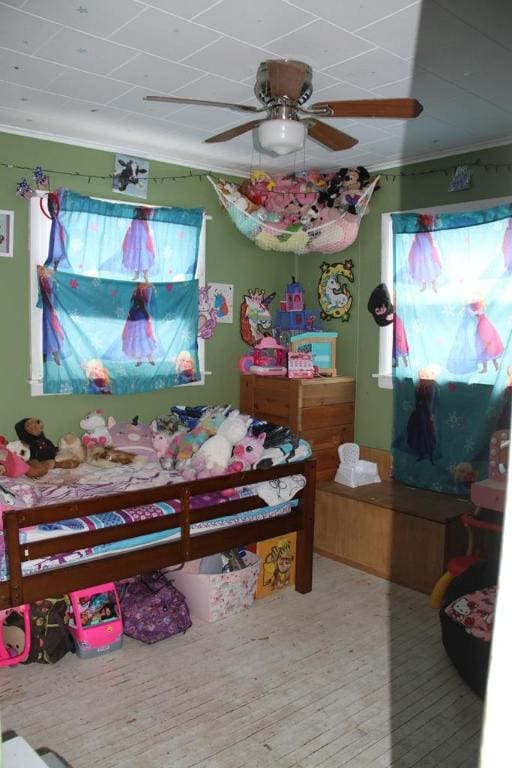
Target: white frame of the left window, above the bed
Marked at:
39, 238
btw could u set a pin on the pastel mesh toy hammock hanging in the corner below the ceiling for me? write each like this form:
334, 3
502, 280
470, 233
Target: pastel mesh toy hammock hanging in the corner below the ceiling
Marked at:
319, 230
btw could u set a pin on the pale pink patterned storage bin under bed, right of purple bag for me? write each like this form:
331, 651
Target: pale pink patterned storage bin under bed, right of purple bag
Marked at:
215, 596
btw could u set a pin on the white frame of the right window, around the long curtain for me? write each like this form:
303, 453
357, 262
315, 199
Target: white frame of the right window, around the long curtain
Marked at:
385, 374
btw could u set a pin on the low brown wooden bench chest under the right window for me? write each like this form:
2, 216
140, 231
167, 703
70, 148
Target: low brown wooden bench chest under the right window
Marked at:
403, 534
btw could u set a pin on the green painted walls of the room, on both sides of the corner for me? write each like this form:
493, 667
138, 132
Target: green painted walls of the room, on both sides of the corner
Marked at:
230, 257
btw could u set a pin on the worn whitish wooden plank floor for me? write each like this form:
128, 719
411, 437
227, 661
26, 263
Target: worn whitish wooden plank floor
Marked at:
352, 675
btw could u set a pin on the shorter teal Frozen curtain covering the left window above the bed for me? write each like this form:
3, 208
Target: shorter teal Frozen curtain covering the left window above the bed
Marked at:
119, 297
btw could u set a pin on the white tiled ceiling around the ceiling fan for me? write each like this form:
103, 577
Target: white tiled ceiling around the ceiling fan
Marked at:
76, 71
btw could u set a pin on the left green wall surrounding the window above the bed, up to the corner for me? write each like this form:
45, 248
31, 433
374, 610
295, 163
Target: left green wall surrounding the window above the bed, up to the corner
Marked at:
230, 258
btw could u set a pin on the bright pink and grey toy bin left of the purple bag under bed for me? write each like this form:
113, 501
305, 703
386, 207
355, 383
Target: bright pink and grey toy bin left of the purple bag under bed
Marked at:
96, 624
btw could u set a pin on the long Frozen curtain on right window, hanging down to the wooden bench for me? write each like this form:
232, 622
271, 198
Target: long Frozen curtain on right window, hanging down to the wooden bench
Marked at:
452, 350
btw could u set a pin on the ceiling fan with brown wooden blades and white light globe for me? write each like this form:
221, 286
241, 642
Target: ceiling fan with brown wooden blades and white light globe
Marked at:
283, 86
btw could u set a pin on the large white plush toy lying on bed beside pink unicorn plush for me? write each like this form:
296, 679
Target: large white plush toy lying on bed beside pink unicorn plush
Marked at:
214, 455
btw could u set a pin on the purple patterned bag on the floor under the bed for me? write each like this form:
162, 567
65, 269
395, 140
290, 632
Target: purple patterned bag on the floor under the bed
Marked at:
153, 609
